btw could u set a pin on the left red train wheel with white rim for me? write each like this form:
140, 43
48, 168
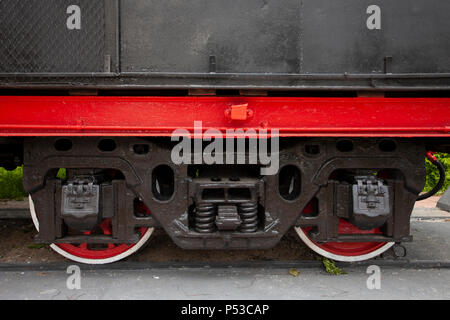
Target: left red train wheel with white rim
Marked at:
81, 253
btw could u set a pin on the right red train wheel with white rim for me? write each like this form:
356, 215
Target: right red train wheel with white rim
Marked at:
345, 251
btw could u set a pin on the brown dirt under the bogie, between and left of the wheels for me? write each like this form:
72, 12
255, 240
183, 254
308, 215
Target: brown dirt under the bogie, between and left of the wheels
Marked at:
17, 246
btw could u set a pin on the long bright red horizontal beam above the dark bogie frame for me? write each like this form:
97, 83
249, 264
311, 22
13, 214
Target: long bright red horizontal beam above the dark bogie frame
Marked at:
160, 116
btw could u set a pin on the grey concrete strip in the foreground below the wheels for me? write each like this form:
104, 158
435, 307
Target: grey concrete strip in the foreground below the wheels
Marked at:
204, 284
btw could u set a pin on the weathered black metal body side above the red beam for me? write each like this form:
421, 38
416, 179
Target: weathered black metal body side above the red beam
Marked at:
273, 44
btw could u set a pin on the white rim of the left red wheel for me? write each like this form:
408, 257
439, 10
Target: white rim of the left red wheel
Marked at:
67, 255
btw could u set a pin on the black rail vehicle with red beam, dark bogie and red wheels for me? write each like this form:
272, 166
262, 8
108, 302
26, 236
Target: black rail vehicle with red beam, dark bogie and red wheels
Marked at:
225, 123
